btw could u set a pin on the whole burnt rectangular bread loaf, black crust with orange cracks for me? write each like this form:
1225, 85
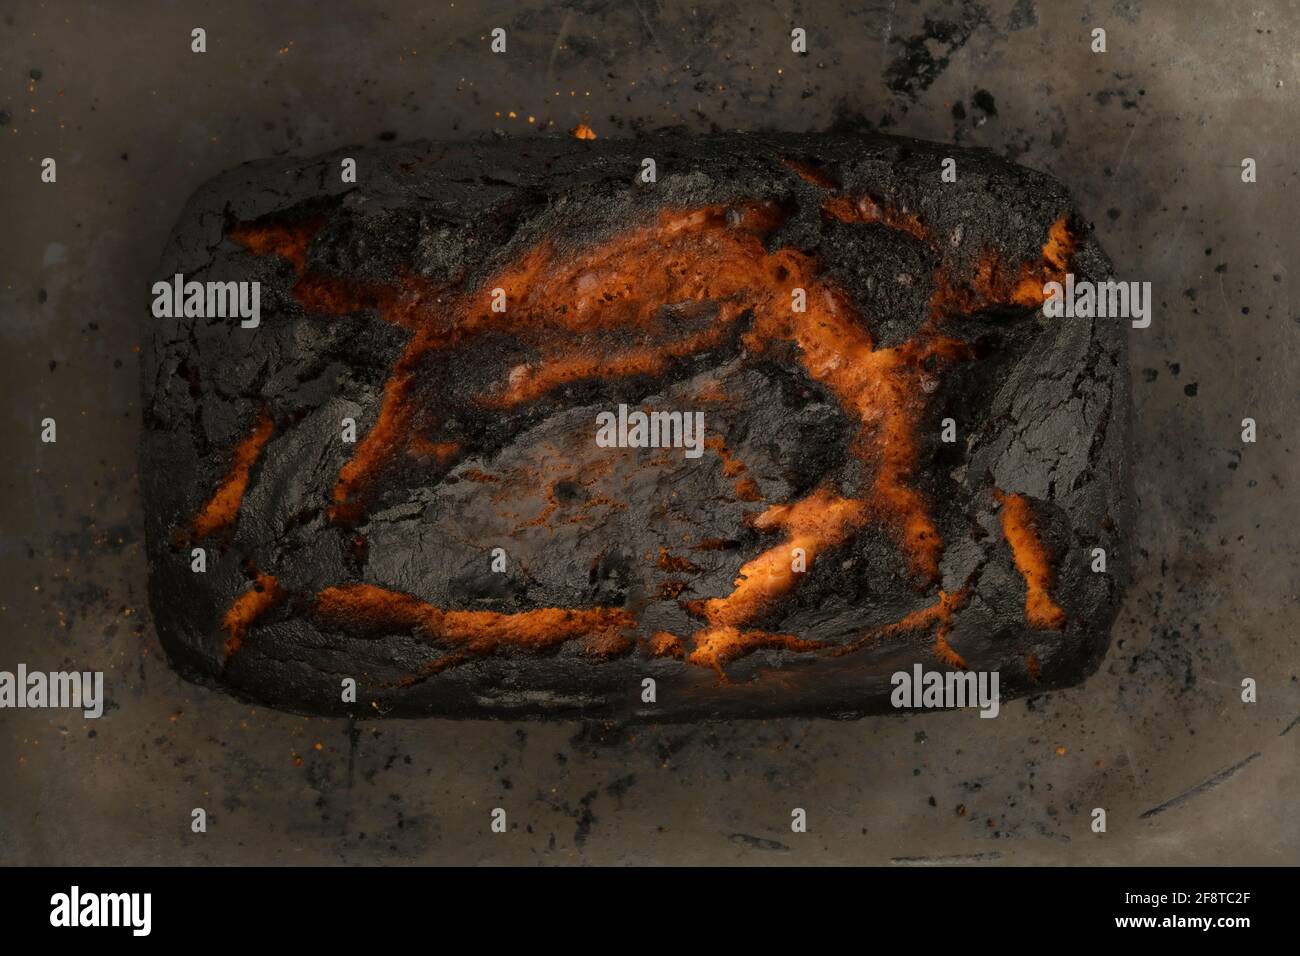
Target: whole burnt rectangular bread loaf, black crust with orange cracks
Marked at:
733, 426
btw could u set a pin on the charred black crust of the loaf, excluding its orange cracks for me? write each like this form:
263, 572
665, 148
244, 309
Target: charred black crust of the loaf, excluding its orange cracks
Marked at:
1045, 412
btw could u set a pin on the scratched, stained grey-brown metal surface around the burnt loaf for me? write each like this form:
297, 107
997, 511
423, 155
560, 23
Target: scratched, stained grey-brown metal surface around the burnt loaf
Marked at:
1149, 137
